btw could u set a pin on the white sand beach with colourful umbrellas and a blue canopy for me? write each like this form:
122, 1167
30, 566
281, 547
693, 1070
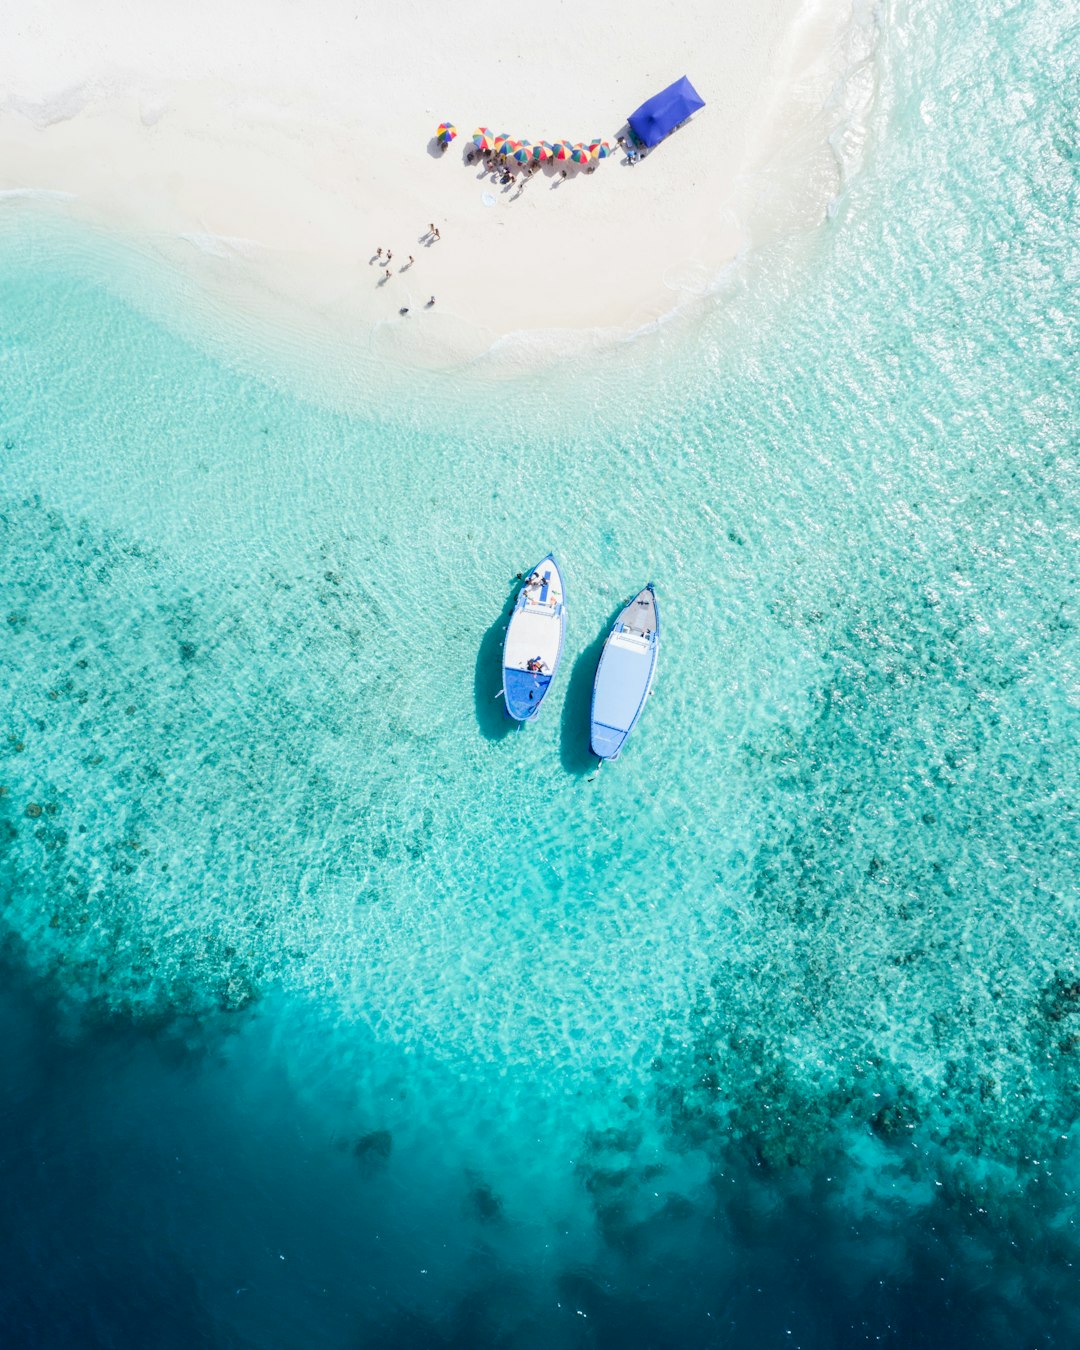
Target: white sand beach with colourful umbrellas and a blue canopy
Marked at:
272, 149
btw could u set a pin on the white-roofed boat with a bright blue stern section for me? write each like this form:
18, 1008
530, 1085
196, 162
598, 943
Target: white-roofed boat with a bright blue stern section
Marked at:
534, 643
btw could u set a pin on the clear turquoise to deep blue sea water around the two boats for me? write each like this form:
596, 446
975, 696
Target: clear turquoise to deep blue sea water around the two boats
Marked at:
337, 1013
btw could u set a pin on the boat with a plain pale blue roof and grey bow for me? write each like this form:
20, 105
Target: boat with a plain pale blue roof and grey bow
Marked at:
626, 674
